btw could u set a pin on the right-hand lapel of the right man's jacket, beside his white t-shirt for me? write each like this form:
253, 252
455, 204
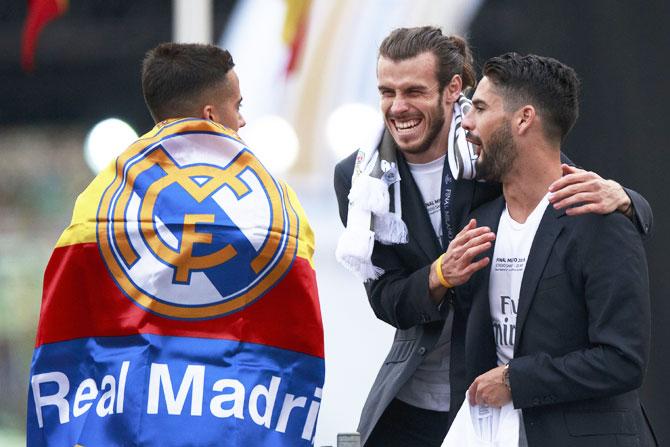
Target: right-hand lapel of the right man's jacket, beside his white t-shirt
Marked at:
549, 229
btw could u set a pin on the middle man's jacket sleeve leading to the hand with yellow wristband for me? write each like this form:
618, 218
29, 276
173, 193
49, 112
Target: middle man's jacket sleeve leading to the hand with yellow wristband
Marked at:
399, 297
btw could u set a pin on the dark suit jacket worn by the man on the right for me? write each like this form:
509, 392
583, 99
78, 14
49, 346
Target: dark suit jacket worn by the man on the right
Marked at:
582, 331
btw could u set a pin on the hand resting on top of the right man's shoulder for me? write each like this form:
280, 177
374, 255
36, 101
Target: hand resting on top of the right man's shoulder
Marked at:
590, 192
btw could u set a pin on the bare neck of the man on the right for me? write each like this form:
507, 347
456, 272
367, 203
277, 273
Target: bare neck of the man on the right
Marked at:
529, 182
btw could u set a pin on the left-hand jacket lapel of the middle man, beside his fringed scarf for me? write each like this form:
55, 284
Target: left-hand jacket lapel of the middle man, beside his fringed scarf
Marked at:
414, 213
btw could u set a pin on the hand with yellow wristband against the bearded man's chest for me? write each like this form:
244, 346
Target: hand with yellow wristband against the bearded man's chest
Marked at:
457, 264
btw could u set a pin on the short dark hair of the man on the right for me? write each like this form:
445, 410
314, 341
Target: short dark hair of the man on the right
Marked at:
549, 85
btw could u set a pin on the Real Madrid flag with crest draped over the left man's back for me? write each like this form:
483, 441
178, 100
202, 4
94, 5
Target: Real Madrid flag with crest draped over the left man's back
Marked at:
180, 307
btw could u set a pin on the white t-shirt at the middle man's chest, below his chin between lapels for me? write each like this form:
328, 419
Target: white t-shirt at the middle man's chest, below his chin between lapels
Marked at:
428, 177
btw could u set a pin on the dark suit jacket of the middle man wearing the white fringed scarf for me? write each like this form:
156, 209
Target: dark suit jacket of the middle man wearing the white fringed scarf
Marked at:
401, 297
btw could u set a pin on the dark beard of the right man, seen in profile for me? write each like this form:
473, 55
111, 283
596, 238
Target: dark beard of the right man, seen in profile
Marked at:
499, 155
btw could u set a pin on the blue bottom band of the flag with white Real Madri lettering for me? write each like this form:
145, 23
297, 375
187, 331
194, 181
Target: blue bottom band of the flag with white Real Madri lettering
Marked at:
172, 391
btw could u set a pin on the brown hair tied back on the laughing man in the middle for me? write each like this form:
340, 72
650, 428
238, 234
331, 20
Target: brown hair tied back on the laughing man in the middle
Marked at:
452, 52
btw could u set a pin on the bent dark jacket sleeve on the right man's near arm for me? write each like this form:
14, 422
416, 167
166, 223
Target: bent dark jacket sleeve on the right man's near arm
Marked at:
616, 293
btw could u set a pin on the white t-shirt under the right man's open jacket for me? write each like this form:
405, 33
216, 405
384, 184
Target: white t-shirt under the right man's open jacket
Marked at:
513, 242
